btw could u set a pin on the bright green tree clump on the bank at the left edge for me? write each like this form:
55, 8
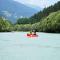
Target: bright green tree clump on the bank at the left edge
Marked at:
5, 25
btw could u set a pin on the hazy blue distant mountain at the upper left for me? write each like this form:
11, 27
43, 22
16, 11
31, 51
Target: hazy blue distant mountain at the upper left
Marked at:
12, 10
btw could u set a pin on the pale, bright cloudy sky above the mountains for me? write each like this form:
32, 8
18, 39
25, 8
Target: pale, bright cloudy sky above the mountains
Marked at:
38, 3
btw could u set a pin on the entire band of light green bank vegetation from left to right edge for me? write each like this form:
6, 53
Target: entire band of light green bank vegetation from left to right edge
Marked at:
49, 24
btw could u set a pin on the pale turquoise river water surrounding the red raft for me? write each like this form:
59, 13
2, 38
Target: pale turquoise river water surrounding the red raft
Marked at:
17, 46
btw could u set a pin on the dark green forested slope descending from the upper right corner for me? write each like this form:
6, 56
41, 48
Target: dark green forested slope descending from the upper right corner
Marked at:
45, 12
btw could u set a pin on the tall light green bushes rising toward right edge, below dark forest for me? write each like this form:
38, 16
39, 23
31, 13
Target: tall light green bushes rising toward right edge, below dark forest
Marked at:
50, 24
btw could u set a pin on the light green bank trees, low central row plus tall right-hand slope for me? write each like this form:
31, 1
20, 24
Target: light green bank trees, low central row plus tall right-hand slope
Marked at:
49, 24
